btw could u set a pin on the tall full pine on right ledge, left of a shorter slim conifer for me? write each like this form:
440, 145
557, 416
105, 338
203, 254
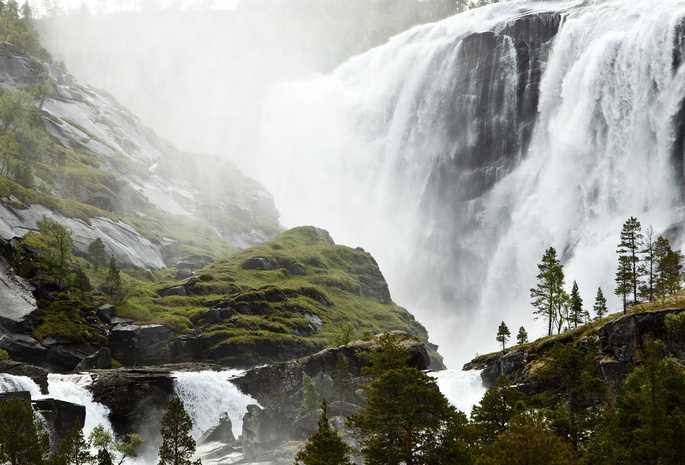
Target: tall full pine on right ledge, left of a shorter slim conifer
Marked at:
549, 294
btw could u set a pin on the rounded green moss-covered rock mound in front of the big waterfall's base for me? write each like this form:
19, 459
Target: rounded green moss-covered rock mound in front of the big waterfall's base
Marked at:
289, 297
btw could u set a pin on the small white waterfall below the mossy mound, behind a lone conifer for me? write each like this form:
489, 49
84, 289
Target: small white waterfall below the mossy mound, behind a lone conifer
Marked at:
206, 394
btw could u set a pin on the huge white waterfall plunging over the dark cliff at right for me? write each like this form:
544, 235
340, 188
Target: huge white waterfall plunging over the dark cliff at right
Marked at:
362, 151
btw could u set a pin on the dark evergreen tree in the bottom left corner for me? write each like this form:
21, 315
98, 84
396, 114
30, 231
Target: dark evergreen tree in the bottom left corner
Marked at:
22, 440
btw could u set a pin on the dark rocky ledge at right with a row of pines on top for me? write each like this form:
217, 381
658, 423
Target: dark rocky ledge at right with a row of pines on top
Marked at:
616, 345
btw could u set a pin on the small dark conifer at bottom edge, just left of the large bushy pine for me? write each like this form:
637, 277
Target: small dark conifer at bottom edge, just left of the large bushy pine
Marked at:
325, 446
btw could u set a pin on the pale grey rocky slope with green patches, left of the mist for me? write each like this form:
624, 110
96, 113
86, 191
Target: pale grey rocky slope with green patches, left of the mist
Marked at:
137, 181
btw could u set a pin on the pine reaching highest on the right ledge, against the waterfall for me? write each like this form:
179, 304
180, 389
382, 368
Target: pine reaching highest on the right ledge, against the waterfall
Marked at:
628, 274
